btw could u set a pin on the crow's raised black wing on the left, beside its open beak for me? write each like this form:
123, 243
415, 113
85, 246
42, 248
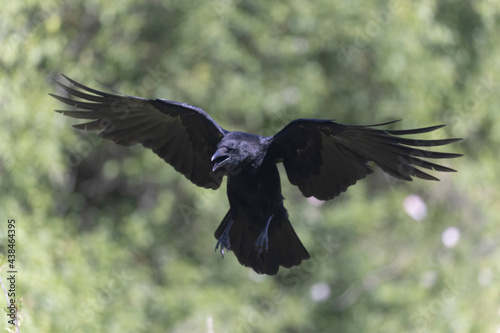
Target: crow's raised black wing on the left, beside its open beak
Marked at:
183, 135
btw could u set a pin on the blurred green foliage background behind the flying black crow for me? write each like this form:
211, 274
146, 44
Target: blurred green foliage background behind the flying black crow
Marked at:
111, 239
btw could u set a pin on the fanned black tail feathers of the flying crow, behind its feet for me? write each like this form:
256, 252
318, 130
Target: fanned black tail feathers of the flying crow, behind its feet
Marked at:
284, 246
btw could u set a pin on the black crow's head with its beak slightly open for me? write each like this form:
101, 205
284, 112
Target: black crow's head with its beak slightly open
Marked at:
239, 151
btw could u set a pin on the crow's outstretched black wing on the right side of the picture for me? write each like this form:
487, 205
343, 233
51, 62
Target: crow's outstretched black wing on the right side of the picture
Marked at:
323, 158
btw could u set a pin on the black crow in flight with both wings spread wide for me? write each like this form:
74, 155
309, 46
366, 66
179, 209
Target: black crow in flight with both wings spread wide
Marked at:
321, 157
